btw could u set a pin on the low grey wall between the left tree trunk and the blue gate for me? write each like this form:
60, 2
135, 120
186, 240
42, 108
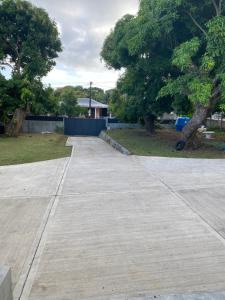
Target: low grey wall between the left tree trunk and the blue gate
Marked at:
34, 126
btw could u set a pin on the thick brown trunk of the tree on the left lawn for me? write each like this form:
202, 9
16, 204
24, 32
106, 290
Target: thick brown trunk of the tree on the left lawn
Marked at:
15, 125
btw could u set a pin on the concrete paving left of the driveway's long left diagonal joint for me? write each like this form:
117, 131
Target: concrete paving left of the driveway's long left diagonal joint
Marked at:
26, 196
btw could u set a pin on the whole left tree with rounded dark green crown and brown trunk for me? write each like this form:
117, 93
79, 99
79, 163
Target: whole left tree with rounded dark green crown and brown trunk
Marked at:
29, 44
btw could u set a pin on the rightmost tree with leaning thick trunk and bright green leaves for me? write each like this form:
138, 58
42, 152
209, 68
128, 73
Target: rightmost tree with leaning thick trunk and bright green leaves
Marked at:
201, 62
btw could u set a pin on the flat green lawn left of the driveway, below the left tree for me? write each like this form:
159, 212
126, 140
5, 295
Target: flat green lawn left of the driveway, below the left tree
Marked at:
31, 148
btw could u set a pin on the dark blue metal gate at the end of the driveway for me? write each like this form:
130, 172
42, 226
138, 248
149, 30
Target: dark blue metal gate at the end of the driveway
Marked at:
83, 127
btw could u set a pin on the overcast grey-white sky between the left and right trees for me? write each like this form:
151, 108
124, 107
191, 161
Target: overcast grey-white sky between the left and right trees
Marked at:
83, 26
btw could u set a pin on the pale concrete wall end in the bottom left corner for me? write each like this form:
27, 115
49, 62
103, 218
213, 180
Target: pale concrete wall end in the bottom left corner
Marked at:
5, 284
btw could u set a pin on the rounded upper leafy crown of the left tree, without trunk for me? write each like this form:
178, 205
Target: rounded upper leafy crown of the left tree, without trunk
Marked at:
29, 39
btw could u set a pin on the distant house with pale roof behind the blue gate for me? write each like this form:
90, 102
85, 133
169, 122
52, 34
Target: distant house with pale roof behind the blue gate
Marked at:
98, 109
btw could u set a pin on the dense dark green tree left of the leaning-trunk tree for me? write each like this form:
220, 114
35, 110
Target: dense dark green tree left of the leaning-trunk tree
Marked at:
140, 45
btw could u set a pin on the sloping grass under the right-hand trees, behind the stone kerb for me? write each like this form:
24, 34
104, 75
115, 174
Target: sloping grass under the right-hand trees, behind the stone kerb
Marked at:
138, 142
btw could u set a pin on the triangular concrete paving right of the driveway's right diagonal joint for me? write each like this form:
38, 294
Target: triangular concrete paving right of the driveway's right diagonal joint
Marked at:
200, 183
